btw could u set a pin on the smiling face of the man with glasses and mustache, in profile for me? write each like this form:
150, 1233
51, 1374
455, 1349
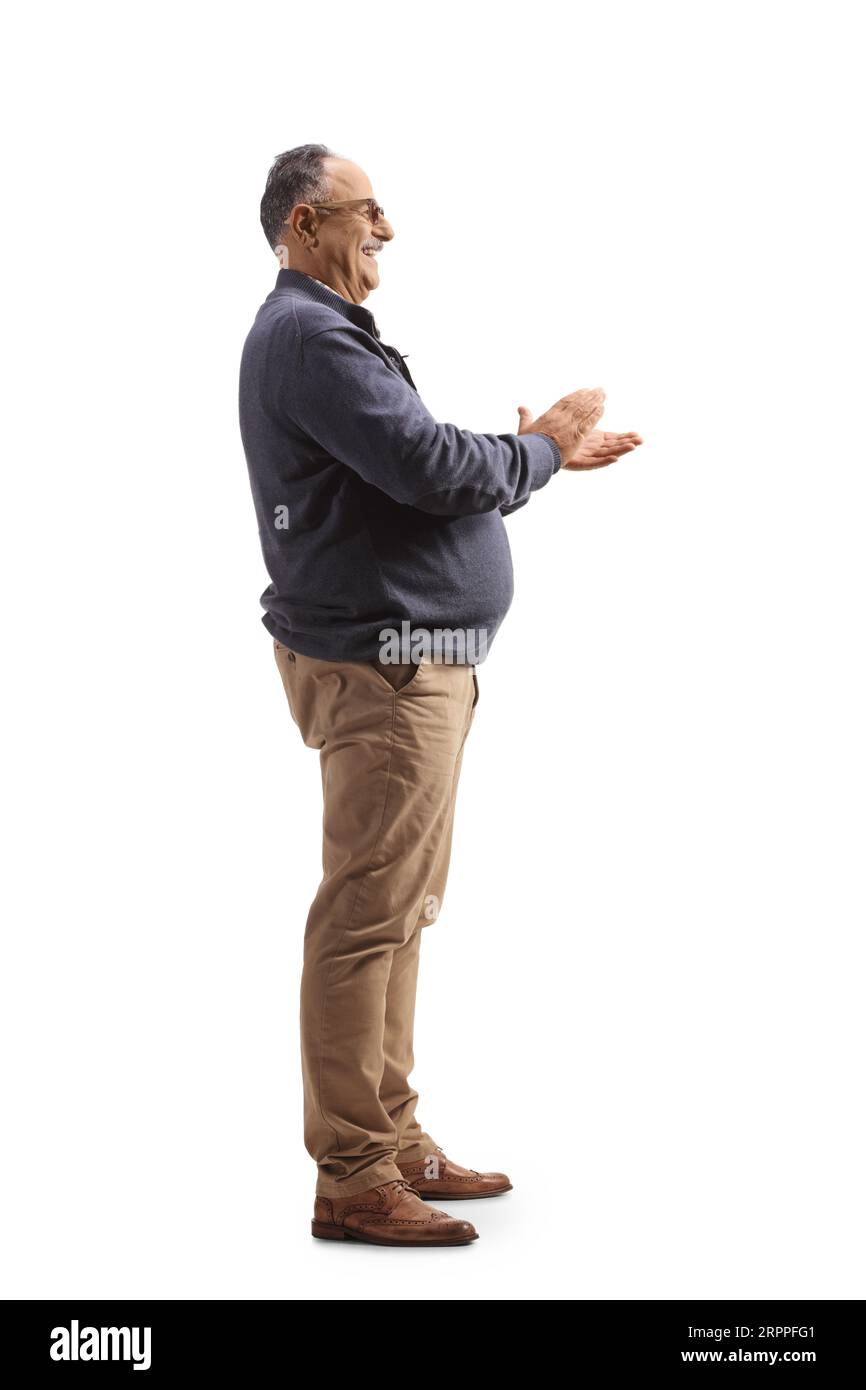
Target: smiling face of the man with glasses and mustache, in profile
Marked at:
348, 241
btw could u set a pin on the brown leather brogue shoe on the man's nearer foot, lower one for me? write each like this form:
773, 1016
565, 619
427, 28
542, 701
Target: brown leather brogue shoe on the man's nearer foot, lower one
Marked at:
391, 1214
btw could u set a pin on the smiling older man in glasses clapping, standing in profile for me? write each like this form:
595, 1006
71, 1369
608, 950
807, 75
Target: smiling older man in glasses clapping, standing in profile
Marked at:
377, 522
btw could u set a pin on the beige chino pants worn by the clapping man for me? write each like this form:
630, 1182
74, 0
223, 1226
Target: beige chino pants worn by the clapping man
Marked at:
391, 747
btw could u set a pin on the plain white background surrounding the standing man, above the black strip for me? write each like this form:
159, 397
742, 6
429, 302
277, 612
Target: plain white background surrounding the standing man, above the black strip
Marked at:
644, 996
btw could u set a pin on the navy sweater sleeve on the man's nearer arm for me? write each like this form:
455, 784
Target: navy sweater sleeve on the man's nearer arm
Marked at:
365, 415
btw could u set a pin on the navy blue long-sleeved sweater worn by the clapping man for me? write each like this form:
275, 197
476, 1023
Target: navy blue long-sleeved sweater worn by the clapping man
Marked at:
370, 512
